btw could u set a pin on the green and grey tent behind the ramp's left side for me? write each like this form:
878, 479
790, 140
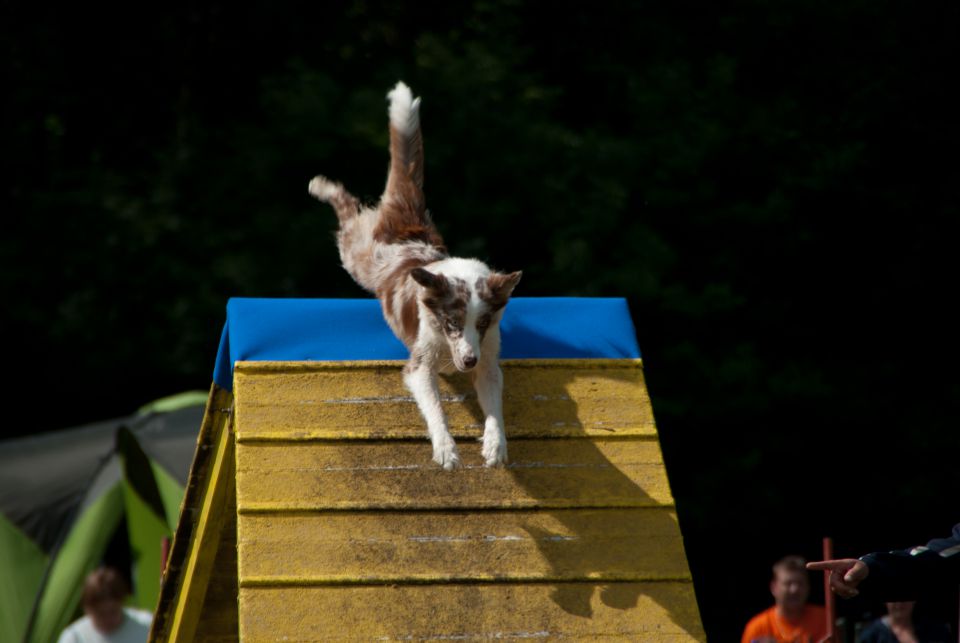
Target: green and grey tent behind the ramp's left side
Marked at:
66, 495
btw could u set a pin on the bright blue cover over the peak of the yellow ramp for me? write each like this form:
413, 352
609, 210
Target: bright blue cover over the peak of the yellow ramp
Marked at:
354, 329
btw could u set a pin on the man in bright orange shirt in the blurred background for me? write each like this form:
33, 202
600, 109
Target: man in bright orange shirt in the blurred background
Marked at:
791, 619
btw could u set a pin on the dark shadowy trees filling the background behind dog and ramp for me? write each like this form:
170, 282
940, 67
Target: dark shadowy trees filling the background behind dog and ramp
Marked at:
769, 183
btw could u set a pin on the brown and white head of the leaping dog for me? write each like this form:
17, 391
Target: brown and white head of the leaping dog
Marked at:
464, 308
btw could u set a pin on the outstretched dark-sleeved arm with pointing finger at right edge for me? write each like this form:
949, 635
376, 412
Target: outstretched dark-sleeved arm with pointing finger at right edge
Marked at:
897, 575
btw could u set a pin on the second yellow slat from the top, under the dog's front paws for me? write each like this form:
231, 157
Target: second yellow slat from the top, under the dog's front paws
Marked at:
542, 473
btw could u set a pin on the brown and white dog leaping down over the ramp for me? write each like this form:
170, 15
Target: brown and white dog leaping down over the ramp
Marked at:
445, 310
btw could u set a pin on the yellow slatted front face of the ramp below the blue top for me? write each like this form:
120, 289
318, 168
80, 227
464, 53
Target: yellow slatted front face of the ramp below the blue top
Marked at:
345, 529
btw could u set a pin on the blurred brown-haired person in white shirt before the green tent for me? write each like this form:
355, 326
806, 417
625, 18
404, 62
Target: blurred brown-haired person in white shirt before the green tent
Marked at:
106, 620
